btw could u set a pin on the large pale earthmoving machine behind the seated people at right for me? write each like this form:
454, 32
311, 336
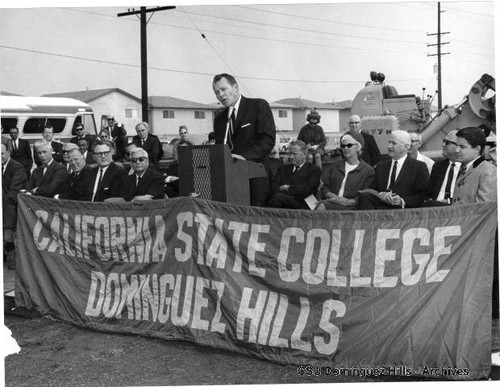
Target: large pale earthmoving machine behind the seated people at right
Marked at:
382, 110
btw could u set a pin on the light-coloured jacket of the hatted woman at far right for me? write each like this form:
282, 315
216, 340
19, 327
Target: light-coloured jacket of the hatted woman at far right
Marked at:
478, 184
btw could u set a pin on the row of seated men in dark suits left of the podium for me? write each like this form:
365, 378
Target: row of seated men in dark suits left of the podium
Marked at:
75, 180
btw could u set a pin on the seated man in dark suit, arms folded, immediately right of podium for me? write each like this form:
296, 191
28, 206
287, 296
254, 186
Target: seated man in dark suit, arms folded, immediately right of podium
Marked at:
295, 181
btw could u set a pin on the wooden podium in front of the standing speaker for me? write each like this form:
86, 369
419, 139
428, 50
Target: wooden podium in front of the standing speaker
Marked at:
211, 172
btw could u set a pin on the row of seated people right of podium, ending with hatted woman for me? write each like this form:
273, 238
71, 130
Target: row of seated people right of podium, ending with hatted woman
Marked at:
403, 181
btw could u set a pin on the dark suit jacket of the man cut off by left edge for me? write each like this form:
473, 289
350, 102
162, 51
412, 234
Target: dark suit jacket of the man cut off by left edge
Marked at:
13, 180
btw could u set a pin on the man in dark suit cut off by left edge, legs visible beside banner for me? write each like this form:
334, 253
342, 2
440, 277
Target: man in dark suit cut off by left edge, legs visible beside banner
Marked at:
13, 180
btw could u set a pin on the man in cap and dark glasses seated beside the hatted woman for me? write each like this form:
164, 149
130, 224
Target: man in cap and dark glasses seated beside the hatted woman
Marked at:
444, 174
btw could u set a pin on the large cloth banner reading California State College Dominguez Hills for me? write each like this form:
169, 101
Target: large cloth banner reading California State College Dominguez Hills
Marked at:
371, 289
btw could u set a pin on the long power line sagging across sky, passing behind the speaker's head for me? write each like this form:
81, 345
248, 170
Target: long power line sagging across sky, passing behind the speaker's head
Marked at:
194, 72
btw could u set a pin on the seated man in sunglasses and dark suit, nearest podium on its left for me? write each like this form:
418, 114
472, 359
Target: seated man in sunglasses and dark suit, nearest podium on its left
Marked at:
144, 183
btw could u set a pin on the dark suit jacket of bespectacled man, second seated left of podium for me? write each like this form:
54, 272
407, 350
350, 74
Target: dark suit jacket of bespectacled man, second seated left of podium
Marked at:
113, 183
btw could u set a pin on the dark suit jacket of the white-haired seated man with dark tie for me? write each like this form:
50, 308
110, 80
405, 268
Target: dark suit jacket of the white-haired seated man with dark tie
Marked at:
411, 183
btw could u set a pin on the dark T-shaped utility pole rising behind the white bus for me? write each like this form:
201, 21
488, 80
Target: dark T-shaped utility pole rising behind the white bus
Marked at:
144, 53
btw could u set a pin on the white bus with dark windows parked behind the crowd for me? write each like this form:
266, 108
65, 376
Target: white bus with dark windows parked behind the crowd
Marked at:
31, 114
